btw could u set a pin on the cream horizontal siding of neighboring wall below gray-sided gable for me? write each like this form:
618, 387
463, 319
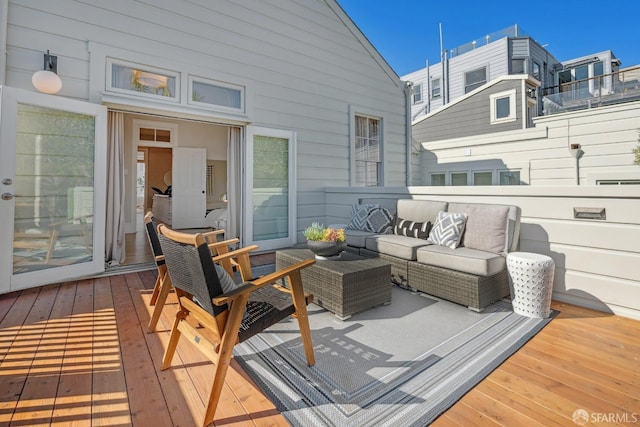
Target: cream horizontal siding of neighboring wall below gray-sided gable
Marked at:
607, 136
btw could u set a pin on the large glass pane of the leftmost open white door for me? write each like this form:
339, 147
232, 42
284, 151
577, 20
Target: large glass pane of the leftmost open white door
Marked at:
53, 217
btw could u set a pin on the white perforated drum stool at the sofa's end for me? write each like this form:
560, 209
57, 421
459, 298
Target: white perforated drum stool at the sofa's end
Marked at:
532, 283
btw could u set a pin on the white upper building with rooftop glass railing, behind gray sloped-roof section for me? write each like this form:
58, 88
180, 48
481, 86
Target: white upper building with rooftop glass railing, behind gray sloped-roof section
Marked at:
507, 52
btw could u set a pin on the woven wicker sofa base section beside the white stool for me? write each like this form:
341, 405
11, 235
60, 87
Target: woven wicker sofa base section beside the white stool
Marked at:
476, 292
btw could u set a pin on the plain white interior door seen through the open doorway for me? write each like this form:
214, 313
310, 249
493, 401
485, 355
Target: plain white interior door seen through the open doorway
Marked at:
189, 187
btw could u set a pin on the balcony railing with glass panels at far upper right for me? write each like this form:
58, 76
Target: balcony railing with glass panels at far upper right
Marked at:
614, 88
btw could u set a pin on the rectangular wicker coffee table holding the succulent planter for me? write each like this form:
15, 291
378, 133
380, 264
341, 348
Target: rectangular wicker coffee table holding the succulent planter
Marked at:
345, 286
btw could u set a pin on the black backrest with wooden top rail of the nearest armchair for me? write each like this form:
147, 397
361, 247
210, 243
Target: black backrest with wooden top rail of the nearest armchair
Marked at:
190, 267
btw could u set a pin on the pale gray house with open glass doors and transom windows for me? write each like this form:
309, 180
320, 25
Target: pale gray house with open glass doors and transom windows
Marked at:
245, 106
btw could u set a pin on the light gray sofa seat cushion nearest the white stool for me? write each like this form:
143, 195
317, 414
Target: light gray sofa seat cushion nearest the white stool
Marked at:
472, 261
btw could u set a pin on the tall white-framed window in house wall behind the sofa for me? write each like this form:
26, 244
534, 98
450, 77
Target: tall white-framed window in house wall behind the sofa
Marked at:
368, 146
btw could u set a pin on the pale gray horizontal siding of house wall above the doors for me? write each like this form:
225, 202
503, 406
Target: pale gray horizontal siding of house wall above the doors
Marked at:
303, 62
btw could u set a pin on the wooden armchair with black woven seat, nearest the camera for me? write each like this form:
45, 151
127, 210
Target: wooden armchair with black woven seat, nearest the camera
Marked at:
226, 318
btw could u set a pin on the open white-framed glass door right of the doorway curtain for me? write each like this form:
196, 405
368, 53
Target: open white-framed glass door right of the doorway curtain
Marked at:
270, 188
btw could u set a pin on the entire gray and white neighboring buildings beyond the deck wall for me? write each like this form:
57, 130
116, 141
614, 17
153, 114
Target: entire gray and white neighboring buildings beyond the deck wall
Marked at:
497, 120
